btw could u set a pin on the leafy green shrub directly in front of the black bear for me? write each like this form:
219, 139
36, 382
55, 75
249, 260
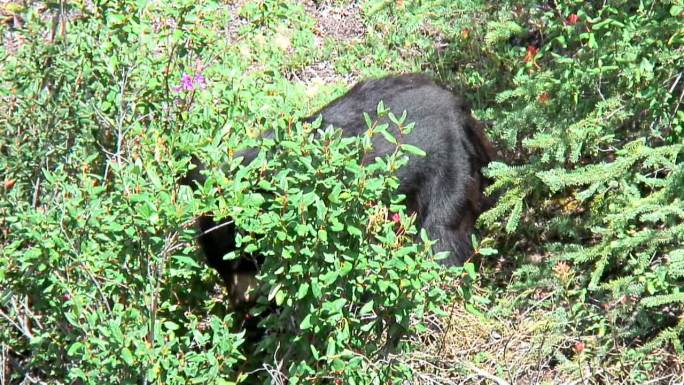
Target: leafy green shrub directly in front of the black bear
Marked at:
340, 260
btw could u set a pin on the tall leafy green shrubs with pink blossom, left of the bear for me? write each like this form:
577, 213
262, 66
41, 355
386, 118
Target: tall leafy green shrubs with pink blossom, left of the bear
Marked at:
96, 284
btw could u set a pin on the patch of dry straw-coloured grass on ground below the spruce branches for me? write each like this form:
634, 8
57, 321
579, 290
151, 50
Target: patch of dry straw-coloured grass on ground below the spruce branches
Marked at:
522, 349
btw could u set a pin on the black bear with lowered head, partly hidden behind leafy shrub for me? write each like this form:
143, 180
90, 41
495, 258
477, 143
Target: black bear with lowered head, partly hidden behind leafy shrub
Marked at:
444, 188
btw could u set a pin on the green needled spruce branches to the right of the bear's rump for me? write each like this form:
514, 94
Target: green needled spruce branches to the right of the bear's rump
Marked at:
586, 100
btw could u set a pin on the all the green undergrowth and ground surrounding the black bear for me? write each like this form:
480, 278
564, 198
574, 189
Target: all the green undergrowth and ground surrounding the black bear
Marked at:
103, 103
